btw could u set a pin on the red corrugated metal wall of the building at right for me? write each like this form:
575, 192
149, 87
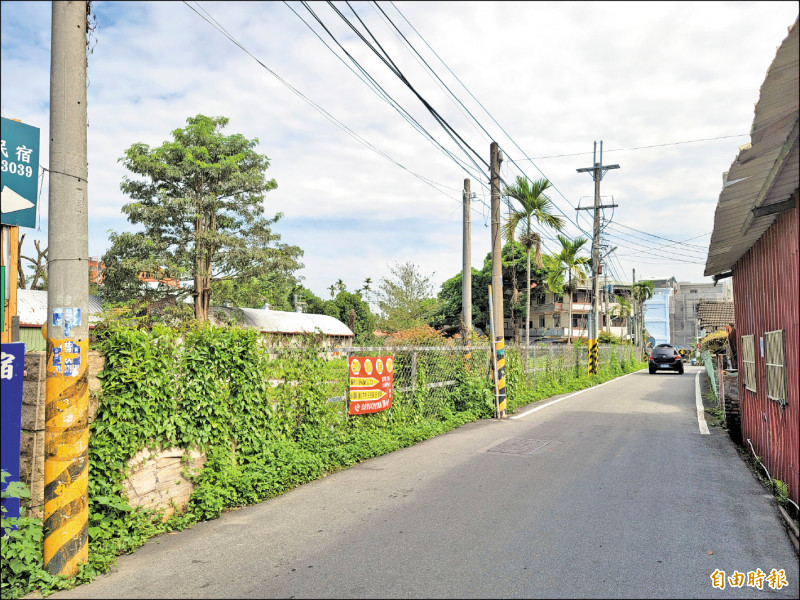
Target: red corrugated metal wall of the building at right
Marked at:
765, 288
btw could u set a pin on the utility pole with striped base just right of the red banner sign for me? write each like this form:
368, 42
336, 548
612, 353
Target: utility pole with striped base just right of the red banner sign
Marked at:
497, 273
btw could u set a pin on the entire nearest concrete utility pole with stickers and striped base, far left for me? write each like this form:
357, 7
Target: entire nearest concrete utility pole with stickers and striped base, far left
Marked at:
67, 394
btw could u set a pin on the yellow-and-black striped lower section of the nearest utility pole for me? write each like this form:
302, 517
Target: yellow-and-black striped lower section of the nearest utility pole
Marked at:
66, 463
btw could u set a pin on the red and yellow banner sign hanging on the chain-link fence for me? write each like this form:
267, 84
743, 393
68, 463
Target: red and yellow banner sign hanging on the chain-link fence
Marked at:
371, 379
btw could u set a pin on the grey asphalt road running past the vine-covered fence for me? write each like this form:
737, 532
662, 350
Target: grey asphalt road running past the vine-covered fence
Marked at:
610, 493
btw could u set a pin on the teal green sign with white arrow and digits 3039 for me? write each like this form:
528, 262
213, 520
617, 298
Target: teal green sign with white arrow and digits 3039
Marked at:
20, 173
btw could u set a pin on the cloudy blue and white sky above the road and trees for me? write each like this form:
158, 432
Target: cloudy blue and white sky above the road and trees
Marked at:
555, 76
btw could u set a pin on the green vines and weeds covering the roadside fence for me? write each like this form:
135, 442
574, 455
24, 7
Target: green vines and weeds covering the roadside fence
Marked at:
194, 422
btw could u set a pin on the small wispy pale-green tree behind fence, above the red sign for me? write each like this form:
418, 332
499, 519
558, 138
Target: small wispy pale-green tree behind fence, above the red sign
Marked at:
405, 298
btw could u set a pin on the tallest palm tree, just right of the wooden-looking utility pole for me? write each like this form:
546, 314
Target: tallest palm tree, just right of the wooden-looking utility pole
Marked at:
536, 206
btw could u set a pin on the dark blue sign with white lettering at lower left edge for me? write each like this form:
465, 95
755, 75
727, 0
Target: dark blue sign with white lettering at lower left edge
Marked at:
12, 370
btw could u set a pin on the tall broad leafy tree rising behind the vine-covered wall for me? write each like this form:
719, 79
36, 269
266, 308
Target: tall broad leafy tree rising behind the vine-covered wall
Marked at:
200, 204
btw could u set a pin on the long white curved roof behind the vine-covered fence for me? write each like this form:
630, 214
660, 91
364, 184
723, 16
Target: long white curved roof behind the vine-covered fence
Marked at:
278, 321
